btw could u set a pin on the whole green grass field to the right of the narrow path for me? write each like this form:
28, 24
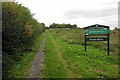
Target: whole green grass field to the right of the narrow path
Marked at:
65, 57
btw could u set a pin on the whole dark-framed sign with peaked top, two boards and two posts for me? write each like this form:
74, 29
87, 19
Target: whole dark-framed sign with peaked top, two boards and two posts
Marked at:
96, 31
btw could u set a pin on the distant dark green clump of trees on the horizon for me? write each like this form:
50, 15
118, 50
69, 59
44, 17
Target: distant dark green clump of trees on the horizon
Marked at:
55, 25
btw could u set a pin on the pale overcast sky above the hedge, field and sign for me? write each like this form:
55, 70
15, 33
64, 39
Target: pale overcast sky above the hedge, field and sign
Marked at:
81, 12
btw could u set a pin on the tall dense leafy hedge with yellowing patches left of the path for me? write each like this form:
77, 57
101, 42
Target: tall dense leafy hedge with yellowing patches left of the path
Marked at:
19, 31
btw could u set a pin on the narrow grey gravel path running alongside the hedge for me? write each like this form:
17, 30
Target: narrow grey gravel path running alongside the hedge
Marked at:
34, 71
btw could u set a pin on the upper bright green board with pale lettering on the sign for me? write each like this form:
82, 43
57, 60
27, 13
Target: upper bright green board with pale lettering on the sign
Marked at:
98, 31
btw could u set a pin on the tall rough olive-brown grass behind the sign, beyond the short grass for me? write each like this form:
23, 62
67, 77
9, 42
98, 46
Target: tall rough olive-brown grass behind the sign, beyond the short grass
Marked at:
76, 36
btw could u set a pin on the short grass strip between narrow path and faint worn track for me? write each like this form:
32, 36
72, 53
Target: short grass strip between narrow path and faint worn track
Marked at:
53, 67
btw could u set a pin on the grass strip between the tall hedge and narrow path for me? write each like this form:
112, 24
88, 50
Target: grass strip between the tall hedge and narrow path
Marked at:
18, 70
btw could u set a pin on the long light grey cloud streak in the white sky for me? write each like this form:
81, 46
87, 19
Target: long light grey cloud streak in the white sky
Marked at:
90, 13
